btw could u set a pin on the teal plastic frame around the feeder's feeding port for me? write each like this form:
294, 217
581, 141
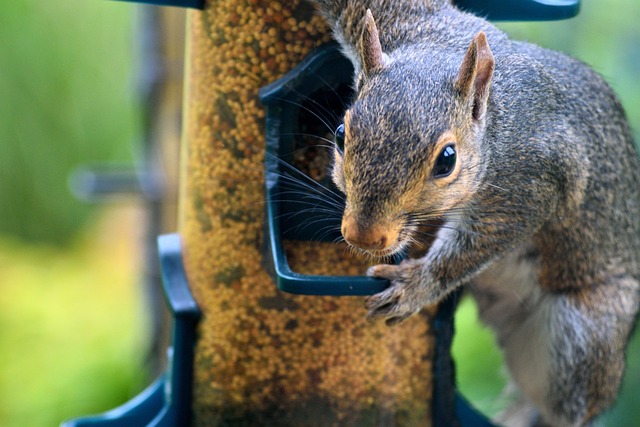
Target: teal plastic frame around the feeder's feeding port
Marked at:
325, 68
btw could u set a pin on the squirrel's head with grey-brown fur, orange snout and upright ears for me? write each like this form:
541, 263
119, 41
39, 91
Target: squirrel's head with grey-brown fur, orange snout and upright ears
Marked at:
408, 152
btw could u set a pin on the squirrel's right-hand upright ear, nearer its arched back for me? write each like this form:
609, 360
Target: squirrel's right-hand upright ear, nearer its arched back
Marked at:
474, 76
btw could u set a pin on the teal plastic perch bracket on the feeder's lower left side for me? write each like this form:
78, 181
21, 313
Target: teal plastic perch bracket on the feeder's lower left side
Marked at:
166, 402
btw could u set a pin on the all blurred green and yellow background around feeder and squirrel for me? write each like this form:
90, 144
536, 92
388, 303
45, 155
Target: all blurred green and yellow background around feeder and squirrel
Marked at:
73, 323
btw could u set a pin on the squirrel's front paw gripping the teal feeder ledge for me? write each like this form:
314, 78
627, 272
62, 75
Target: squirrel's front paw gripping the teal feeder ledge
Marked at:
405, 297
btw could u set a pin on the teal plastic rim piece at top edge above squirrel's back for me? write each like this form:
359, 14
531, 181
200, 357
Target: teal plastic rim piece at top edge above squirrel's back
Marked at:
521, 10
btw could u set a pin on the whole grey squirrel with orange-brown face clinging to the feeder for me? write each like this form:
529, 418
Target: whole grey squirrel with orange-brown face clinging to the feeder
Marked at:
513, 167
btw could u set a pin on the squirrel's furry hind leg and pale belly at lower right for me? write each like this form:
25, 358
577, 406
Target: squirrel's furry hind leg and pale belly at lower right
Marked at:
565, 351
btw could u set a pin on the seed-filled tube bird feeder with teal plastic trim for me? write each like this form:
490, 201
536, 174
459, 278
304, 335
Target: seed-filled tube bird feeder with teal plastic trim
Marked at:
282, 339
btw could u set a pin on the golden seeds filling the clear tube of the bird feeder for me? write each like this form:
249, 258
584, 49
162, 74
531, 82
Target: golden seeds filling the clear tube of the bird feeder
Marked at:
265, 357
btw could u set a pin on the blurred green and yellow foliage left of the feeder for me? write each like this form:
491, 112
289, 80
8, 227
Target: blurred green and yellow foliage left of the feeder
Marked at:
72, 332
